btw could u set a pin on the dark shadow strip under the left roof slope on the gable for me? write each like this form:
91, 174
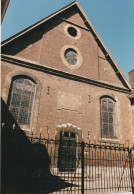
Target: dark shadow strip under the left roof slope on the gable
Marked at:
36, 34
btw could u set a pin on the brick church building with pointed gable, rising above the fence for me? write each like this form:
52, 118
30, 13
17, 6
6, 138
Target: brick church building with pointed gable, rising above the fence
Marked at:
59, 79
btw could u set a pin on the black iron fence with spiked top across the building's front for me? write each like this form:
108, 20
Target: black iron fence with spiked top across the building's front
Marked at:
38, 165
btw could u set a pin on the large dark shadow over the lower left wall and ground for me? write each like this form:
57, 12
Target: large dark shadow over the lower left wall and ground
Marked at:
25, 166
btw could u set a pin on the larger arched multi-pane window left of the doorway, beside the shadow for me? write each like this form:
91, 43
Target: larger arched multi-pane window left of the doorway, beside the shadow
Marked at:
21, 99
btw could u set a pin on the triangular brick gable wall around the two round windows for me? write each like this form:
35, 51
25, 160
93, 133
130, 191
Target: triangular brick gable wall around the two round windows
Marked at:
44, 47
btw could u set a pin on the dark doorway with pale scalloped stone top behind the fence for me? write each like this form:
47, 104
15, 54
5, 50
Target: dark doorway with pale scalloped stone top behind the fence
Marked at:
68, 136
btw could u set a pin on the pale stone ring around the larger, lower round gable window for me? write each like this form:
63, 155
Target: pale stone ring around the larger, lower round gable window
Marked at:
79, 57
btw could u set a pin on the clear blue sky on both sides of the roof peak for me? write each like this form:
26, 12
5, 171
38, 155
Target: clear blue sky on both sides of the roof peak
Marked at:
112, 19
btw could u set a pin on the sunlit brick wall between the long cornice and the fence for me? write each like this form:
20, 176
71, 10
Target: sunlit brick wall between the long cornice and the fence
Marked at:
84, 115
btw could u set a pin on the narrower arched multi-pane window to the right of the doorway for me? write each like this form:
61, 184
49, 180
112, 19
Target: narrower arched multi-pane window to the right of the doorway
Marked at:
108, 118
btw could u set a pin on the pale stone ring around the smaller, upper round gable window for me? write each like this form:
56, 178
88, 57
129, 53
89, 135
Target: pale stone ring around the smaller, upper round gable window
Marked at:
70, 36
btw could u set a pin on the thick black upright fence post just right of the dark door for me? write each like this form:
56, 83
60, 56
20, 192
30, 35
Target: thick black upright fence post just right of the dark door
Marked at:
82, 168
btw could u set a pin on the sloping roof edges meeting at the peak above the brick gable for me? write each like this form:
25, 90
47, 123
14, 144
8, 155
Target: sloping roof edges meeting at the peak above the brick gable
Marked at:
89, 26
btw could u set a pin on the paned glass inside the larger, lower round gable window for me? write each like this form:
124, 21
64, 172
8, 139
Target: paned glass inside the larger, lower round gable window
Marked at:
71, 56
